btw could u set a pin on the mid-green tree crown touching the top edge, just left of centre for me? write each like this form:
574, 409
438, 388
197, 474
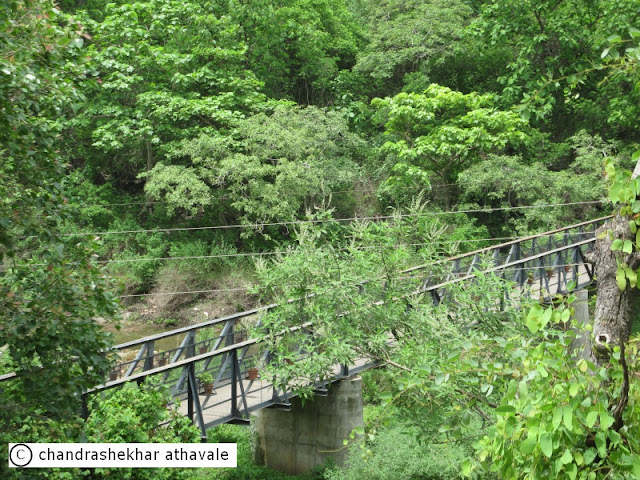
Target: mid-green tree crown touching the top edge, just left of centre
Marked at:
297, 47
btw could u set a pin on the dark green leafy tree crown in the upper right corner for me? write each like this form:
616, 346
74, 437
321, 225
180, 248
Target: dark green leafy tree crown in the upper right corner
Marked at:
556, 63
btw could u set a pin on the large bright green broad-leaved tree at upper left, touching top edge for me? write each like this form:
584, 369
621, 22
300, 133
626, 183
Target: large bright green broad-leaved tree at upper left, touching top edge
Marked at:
161, 72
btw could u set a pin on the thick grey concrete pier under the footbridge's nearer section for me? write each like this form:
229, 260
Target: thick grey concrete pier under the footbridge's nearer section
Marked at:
295, 441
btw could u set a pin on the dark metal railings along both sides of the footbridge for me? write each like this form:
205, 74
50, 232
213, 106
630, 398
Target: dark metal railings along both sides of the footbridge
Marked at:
219, 347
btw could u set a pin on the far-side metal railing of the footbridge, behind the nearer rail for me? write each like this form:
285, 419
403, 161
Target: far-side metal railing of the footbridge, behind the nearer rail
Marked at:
531, 260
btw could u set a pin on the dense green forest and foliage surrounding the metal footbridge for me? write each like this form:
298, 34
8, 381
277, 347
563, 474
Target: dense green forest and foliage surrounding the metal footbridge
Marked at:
158, 154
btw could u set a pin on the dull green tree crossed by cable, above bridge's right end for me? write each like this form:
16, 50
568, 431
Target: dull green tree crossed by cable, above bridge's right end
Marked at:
511, 181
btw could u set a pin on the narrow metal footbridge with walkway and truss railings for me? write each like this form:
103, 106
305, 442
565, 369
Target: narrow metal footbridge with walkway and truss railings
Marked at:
539, 265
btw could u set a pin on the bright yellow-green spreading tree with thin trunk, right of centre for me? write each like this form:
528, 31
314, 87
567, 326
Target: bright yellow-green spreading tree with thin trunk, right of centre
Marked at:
441, 132
